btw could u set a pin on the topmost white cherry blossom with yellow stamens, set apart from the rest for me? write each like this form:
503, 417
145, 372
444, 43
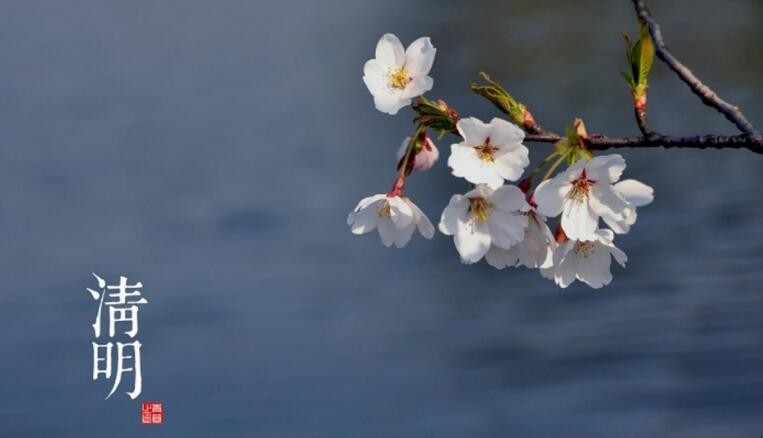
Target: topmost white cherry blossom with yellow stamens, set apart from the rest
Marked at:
396, 75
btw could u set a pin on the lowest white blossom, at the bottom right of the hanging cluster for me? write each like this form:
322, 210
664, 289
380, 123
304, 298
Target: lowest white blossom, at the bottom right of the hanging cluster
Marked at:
587, 261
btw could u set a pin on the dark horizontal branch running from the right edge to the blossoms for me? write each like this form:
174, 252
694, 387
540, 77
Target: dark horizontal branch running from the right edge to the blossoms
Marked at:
600, 142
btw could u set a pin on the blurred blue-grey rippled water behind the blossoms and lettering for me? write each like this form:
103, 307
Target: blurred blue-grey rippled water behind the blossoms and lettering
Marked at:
212, 150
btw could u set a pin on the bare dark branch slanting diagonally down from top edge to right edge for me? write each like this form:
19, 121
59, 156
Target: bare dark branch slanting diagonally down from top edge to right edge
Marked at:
705, 93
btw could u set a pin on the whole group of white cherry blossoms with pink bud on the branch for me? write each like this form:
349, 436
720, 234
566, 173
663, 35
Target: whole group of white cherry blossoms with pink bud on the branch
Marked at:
505, 224
